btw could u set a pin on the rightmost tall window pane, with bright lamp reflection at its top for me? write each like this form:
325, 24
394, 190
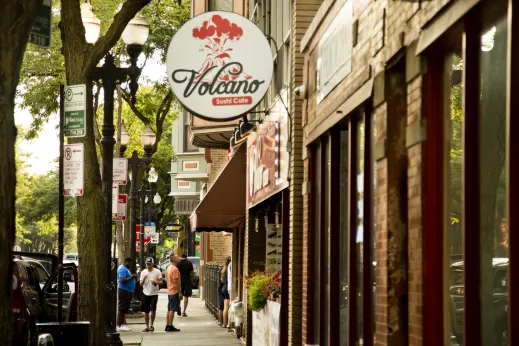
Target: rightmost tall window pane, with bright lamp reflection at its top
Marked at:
494, 250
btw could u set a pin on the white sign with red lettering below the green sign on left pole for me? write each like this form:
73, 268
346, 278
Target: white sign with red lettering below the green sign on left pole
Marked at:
73, 167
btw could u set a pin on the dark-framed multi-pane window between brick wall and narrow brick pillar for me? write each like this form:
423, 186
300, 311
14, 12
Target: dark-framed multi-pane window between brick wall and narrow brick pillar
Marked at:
342, 264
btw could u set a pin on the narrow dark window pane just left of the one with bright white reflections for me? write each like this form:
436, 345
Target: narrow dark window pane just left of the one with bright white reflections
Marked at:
344, 247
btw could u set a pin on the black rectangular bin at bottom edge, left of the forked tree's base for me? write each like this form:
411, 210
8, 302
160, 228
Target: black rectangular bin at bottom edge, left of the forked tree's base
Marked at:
66, 333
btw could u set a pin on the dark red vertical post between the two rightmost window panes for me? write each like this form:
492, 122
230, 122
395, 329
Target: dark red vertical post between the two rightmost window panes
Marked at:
471, 228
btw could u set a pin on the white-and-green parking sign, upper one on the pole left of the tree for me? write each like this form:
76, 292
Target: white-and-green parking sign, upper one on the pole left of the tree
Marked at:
75, 111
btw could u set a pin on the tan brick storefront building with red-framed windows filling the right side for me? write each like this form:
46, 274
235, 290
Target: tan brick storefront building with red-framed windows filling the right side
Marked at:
382, 265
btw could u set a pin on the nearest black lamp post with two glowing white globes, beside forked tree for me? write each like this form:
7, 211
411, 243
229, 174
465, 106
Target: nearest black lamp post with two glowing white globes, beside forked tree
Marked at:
109, 75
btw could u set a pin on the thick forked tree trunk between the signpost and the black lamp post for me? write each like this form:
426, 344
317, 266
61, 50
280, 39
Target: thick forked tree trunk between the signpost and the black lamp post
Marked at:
80, 60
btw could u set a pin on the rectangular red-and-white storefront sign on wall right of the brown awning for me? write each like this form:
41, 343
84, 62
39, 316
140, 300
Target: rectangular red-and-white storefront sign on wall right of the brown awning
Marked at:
267, 157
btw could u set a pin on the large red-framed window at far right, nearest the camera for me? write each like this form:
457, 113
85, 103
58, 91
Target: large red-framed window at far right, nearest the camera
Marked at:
467, 263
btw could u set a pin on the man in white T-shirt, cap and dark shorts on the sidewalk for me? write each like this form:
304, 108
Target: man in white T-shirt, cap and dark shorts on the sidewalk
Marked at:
151, 278
